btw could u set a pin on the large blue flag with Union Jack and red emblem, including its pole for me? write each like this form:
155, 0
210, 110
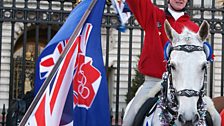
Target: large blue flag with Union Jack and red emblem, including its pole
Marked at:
67, 93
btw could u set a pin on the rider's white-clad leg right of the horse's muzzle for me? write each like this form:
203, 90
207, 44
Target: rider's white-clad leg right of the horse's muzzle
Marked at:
213, 112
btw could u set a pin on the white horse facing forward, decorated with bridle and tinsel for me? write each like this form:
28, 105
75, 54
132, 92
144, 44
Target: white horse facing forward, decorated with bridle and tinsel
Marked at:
182, 101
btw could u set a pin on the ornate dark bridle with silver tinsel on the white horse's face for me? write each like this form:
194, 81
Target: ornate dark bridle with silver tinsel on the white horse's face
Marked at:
169, 106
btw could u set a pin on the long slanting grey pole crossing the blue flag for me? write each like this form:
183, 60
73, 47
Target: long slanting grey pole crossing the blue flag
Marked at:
53, 71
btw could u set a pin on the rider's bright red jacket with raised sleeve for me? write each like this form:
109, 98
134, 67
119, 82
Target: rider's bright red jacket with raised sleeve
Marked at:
151, 19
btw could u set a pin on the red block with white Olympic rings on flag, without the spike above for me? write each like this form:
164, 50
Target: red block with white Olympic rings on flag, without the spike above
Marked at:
85, 78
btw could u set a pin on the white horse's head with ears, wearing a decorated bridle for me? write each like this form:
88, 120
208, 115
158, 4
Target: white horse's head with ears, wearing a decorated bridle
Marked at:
188, 57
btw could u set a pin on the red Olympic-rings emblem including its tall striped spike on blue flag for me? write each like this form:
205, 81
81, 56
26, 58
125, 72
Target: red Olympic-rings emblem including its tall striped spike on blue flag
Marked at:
87, 78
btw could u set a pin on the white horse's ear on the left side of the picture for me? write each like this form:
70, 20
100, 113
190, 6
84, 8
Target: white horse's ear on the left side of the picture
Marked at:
170, 32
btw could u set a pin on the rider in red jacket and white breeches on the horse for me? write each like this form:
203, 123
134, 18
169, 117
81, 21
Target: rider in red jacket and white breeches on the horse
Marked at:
151, 62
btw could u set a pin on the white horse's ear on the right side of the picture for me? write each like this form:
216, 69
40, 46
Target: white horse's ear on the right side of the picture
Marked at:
203, 30
